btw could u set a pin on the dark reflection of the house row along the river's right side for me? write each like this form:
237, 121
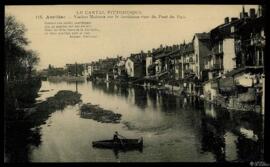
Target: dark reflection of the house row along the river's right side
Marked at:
228, 135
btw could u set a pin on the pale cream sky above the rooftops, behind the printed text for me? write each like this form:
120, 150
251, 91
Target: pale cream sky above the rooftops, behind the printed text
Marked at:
117, 36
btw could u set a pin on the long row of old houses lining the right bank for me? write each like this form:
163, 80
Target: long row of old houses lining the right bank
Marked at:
224, 65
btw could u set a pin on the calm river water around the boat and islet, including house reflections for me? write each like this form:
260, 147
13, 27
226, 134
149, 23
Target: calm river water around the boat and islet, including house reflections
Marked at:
173, 128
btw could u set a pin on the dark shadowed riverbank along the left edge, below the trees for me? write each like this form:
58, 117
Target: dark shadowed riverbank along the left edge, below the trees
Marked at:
18, 95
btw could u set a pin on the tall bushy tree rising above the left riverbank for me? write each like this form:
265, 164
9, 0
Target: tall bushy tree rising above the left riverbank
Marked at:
18, 60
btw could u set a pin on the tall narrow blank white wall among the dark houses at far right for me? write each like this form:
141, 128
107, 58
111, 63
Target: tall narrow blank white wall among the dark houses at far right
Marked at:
229, 54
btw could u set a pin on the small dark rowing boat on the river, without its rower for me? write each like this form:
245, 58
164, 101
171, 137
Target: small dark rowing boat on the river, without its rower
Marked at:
121, 144
